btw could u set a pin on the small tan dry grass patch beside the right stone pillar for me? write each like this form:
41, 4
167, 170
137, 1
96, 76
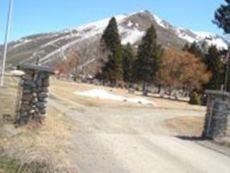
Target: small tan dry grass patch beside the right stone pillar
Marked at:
187, 125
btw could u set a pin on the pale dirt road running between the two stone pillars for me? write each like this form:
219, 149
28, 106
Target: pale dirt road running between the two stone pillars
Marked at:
135, 139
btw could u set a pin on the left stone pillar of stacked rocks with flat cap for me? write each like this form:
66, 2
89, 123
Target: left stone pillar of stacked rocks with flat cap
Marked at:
34, 94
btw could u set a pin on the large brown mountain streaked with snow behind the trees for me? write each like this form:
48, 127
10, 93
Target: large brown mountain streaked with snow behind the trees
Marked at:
52, 47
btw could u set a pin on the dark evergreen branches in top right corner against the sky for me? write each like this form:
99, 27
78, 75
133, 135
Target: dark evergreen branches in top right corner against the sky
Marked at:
222, 17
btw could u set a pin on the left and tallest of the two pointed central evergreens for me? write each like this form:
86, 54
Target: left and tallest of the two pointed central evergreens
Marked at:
112, 69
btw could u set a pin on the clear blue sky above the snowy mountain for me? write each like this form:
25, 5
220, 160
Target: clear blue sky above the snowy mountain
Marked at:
36, 16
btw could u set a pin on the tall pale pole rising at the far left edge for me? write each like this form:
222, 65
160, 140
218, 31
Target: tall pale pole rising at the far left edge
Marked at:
8, 25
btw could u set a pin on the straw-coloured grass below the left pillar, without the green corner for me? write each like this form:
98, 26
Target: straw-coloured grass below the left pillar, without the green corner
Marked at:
40, 149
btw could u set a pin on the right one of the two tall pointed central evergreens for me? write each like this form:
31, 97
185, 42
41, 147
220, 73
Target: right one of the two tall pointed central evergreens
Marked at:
148, 59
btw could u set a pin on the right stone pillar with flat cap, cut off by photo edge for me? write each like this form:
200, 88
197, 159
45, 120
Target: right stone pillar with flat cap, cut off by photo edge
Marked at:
217, 121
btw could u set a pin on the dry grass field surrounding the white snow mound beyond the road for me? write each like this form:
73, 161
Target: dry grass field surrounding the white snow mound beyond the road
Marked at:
66, 90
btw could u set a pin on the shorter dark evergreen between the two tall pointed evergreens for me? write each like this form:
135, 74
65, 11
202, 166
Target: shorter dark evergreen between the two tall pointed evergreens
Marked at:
127, 63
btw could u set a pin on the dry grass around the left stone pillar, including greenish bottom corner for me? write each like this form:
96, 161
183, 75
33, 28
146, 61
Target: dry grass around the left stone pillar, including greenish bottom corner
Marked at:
34, 149
